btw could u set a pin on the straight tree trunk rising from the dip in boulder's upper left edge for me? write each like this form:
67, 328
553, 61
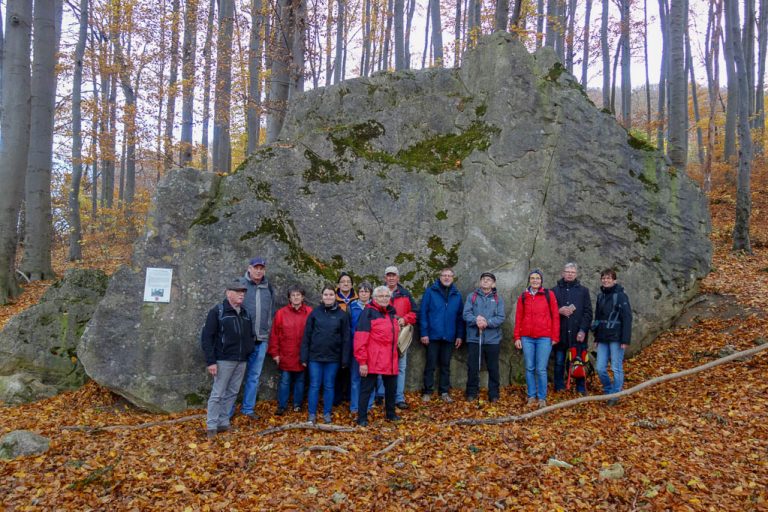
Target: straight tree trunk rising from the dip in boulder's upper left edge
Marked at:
222, 150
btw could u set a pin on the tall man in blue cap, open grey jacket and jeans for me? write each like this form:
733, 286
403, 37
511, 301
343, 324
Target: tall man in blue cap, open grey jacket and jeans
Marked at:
260, 304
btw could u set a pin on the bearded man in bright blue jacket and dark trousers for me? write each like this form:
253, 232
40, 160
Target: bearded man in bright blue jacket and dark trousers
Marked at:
442, 328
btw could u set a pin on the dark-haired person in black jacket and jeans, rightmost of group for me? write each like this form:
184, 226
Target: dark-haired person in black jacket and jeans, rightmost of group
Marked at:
613, 332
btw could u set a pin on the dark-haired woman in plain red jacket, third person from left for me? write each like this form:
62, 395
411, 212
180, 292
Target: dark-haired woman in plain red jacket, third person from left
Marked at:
284, 347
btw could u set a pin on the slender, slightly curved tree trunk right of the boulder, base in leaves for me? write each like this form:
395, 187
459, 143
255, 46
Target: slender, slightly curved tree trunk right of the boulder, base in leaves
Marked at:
741, 240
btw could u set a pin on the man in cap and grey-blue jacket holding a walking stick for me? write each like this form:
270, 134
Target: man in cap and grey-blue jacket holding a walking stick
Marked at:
484, 314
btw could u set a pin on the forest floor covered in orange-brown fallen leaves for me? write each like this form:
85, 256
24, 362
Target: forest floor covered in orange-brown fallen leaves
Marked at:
697, 443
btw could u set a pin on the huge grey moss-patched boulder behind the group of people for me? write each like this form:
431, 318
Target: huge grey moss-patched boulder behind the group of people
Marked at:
502, 165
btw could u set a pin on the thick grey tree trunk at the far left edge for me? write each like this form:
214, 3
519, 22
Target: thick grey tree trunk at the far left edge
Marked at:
15, 136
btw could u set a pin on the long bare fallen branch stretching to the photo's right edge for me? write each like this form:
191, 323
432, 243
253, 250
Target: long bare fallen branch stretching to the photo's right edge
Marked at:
620, 394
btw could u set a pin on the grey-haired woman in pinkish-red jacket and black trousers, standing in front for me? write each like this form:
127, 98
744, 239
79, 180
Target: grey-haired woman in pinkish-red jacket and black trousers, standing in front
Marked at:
376, 352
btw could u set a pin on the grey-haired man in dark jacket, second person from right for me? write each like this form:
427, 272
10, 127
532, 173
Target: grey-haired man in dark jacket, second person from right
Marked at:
575, 319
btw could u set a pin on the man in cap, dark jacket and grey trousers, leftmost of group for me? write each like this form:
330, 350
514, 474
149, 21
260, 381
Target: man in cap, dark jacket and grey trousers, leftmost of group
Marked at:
227, 340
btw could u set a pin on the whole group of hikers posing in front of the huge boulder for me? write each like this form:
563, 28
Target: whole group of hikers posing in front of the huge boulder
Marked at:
349, 343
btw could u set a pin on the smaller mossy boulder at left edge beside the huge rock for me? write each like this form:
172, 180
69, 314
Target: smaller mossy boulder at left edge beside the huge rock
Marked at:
38, 346
